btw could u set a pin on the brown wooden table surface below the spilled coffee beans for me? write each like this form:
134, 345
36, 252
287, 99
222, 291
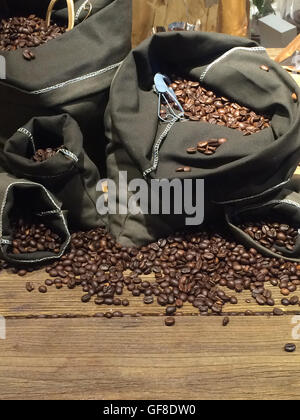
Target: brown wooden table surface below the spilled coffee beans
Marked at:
78, 356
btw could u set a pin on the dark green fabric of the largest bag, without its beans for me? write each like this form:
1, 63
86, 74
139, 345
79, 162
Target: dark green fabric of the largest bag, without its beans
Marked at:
242, 168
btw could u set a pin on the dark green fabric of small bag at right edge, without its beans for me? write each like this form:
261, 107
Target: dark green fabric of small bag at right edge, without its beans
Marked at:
283, 207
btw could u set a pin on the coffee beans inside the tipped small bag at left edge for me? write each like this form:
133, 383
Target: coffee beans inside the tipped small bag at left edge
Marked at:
31, 237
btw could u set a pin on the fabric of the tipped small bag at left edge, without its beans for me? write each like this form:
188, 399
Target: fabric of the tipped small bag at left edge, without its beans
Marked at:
19, 197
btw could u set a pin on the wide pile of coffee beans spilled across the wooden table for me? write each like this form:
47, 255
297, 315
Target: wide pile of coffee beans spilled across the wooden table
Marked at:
191, 269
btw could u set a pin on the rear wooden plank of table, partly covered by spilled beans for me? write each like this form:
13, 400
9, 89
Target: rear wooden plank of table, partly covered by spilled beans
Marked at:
15, 301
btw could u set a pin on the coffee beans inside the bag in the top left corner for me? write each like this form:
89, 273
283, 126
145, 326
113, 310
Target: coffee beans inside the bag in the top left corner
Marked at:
26, 32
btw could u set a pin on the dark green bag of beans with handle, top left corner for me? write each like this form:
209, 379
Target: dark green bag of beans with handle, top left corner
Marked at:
52, 70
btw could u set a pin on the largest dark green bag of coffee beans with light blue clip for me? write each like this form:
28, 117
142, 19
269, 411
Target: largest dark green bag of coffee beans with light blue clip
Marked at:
192, 105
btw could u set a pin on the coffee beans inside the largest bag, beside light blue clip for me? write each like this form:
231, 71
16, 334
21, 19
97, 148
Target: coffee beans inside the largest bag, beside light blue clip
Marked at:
200, 104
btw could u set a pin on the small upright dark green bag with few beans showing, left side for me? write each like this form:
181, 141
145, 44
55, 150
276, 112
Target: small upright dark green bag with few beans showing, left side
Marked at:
49, 151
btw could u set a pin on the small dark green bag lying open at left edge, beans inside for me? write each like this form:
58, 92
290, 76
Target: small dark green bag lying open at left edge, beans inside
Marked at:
33, 228
